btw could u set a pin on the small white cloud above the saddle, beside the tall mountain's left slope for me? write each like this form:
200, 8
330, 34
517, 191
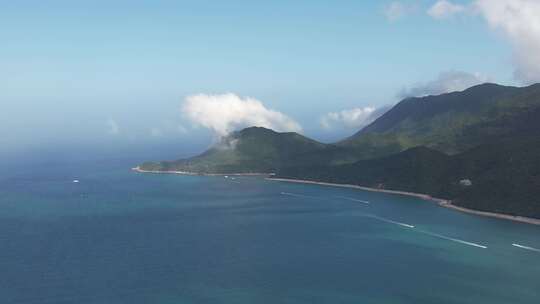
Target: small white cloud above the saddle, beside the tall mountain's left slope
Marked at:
353, 118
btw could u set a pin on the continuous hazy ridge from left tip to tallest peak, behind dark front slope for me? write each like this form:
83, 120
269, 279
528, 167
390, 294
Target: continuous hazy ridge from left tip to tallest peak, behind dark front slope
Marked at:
450, 123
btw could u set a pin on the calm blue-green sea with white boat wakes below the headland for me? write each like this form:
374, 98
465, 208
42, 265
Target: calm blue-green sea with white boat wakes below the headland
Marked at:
121, 237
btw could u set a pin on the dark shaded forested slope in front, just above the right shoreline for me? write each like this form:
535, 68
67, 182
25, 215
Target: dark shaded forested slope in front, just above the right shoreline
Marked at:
504, 175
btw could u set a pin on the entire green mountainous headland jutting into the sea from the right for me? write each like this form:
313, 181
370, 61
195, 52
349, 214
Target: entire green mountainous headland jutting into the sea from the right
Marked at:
478, 149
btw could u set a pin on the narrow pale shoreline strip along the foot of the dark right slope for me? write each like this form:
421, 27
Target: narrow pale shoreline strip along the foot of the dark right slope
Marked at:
439, 201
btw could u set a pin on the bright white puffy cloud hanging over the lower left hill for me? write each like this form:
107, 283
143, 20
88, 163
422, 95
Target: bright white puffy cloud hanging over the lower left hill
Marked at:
227, 112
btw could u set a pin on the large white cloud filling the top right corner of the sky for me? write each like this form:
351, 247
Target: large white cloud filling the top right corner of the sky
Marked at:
519, 21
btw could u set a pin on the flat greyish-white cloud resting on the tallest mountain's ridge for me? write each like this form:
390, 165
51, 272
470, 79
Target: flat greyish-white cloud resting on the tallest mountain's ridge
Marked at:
446, 82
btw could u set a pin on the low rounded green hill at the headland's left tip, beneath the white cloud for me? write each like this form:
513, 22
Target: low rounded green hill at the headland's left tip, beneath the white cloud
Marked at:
251, 150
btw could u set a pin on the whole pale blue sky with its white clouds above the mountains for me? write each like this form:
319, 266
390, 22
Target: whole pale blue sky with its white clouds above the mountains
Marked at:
170, 77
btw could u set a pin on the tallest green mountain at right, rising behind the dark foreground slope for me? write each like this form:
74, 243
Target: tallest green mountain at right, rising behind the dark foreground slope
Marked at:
451, 123
